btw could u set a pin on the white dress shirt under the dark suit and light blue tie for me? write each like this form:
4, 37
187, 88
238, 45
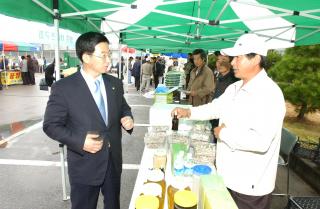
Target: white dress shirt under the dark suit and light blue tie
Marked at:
92, 87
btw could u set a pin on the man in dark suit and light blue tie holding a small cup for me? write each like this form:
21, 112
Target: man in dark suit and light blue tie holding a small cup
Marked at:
90, 100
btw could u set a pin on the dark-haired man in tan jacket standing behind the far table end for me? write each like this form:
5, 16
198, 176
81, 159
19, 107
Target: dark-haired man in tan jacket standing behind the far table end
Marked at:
201, 84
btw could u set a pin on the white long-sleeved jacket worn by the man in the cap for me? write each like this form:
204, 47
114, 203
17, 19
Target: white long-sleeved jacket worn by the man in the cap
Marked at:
248, 149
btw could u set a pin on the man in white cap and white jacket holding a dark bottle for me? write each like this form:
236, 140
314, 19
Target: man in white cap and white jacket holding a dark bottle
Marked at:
251, 113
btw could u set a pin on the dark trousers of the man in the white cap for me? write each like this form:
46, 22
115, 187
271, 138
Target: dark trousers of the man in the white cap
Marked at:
251, 202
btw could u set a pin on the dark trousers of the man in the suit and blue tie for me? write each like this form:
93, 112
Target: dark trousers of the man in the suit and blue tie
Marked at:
86, 196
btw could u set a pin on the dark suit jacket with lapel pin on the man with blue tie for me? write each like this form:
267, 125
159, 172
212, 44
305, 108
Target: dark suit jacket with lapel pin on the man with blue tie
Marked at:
71, 112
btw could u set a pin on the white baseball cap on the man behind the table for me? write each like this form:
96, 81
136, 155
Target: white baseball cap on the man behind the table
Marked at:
246, 44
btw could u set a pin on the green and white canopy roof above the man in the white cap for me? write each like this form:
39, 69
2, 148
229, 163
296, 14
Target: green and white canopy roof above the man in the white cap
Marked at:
188, 24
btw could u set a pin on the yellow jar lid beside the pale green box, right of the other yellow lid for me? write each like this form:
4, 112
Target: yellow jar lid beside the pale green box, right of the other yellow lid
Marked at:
185, 198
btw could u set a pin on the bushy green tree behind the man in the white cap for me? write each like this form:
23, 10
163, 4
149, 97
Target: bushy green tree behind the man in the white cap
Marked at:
298, 75
